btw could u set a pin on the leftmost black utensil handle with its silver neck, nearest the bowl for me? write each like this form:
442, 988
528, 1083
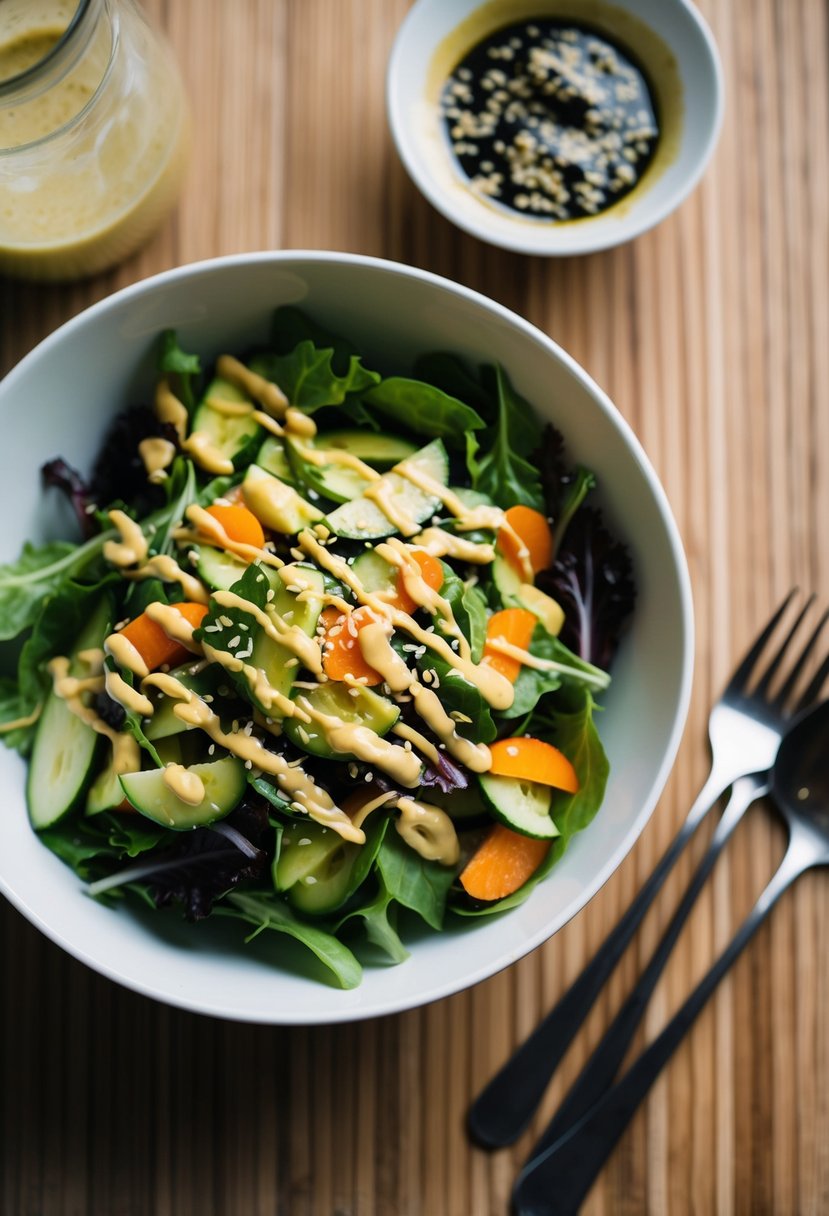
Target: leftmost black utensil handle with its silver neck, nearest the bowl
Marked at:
506, 1106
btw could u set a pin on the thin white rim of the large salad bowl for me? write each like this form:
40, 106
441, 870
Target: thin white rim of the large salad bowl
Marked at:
394, 1004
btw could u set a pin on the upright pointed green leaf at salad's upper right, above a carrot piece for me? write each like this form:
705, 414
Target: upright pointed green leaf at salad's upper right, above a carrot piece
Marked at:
504, 471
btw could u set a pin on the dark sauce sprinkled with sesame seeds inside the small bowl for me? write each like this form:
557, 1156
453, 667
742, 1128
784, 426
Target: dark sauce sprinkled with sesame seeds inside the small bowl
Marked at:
550, 121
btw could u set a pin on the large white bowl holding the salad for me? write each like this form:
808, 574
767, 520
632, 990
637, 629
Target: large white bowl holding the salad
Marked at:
60, 399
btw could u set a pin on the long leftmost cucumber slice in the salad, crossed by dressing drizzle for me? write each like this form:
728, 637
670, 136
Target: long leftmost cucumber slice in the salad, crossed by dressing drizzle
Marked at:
64, 755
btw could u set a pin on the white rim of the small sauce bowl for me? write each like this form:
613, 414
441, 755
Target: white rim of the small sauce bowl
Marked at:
484, 226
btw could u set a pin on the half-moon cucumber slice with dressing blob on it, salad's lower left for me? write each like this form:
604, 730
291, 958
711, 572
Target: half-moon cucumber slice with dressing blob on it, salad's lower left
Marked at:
224, 781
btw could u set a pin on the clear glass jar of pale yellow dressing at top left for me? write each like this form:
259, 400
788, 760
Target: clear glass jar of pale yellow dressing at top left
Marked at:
93, 136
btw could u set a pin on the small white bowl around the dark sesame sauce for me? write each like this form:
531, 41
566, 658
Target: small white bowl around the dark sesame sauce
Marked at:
670, 41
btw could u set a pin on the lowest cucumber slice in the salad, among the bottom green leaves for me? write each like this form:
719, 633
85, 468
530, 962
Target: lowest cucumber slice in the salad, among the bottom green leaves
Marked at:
314, 868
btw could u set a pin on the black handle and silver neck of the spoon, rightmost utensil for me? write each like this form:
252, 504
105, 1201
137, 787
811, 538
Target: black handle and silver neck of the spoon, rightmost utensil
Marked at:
556, 1183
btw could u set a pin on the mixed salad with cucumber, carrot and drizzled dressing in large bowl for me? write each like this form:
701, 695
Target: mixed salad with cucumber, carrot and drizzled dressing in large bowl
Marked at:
243, 846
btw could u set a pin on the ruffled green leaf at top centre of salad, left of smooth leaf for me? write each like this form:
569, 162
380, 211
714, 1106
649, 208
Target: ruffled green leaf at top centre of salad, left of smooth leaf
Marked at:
308, 379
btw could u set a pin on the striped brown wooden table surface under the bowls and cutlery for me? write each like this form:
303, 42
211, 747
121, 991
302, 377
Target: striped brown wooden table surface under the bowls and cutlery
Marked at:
712, 335
